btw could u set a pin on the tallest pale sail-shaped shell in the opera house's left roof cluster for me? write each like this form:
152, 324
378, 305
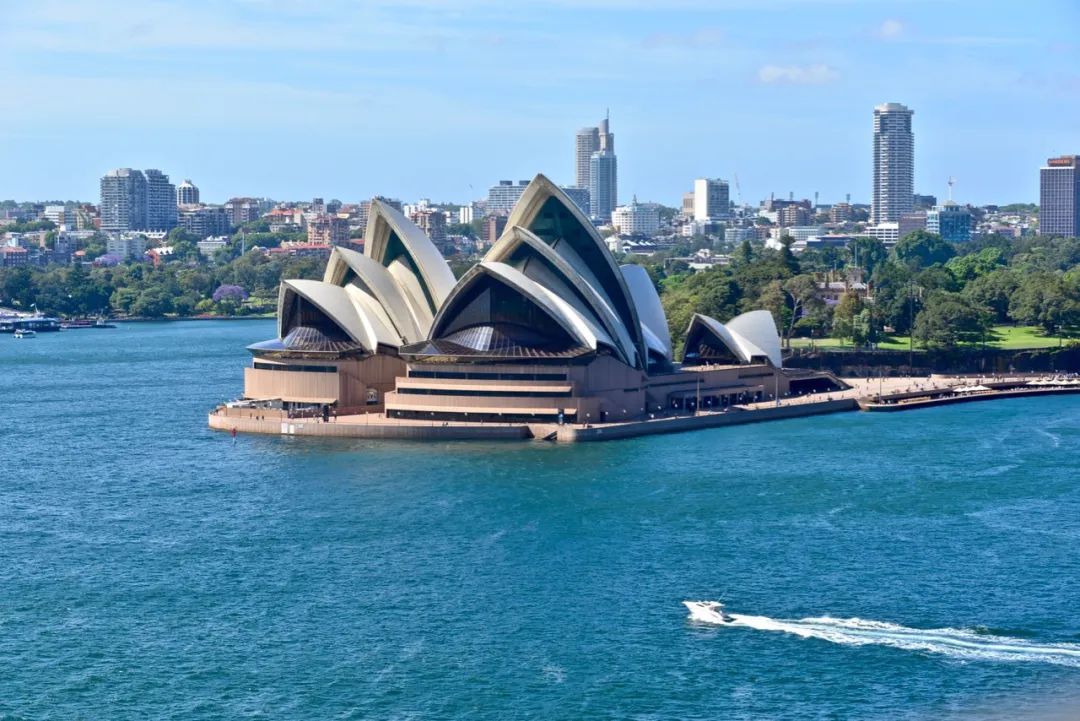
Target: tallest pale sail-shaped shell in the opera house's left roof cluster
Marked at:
400, 246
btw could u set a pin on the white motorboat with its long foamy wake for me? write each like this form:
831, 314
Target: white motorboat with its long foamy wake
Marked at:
954, 643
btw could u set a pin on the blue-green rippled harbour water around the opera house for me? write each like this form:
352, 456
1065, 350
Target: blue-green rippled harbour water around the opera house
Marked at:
152, 569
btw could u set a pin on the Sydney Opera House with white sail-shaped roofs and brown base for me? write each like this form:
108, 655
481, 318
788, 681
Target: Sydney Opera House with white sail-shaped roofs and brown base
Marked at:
547, 329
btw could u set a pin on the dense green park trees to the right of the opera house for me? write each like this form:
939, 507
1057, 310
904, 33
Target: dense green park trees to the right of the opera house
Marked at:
944, 294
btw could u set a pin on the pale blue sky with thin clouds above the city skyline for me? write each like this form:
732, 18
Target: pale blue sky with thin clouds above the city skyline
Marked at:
442, 99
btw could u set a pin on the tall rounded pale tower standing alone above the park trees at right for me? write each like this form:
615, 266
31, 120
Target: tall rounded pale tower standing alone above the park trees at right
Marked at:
894, 164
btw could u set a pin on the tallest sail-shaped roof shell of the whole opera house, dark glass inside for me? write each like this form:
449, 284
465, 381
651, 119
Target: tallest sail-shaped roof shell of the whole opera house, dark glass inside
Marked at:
549, 213
